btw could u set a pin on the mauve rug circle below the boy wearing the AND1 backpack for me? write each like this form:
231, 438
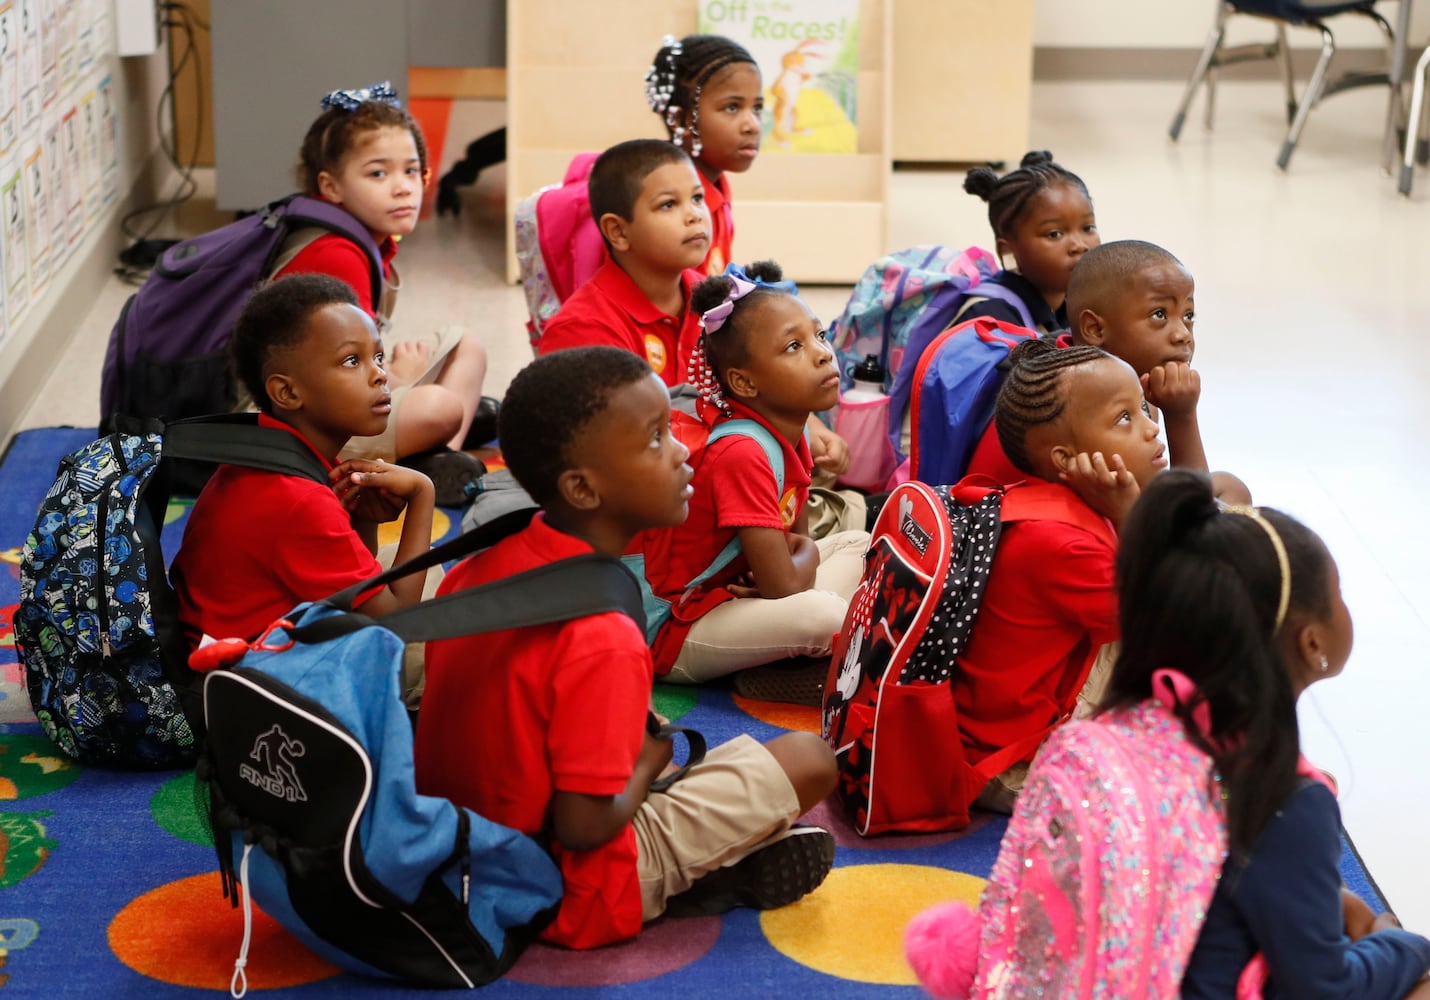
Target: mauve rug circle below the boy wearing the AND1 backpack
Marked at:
663, 948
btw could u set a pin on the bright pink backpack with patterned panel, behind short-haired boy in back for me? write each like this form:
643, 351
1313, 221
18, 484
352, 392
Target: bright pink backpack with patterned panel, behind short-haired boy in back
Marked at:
558, 245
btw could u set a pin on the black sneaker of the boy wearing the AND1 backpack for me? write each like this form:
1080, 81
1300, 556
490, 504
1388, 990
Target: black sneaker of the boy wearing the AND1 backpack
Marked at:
784, 869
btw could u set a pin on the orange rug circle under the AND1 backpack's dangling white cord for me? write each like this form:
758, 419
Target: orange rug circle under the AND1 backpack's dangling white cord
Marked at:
188, 935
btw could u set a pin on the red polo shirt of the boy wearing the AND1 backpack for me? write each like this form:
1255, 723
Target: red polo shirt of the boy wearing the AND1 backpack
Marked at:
510, 719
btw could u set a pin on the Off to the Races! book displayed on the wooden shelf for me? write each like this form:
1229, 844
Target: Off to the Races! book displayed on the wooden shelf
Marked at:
809, 57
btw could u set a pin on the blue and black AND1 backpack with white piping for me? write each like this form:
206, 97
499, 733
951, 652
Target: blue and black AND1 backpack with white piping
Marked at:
310, 772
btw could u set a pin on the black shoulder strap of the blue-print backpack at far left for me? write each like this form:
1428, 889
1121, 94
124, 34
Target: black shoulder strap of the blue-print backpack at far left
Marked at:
238, 440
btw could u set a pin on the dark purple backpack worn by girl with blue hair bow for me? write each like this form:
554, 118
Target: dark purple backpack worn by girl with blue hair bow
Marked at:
168, 354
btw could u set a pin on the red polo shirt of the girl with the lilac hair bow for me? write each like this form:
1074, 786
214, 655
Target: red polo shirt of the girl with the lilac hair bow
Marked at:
734, 489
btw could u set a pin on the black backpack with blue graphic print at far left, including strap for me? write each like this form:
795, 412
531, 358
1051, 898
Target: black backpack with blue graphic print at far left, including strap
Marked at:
98, 627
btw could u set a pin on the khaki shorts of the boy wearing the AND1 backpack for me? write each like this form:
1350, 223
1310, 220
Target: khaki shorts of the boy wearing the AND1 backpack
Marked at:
724, 808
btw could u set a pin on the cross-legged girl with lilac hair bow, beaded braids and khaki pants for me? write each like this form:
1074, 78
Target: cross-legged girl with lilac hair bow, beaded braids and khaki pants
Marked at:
763, 360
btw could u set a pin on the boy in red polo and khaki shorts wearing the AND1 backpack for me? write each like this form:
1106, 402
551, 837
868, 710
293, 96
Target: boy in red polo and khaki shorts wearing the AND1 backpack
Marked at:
548, 735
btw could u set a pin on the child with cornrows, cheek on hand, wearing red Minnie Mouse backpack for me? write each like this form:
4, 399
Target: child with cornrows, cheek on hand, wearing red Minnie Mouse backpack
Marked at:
1075, 421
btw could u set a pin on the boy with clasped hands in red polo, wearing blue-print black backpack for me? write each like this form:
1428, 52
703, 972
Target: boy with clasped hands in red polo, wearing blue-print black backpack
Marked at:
258, 543
